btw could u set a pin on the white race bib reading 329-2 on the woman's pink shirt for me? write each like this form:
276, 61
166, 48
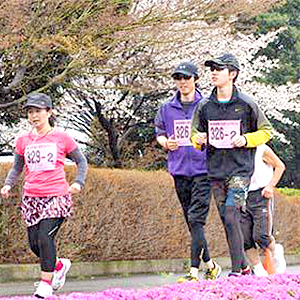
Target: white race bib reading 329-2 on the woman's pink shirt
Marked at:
41, 157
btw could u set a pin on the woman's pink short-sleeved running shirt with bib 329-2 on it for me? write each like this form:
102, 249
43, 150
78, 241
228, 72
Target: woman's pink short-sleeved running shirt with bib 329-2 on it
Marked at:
44, 162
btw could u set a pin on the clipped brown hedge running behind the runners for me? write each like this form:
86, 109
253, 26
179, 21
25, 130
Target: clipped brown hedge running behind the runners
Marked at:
126, 215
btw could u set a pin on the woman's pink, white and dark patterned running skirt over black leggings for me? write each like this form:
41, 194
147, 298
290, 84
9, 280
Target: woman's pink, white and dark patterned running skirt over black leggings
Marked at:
35, 209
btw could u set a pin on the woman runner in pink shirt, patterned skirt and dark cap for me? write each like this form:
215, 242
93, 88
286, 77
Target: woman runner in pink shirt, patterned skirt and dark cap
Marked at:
46, 200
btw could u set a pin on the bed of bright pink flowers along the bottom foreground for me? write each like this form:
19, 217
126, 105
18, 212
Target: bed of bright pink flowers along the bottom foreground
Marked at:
274, 287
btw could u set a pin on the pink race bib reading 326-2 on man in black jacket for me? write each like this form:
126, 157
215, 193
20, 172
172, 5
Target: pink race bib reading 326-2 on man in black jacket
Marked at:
220, 133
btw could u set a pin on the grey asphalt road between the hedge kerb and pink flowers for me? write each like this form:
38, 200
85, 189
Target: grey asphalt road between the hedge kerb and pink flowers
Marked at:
96, 284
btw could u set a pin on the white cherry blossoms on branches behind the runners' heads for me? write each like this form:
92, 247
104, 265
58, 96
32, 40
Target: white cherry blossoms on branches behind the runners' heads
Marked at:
201, 42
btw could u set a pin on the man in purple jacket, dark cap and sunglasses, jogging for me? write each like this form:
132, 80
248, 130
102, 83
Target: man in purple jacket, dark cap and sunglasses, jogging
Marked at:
187, 165
